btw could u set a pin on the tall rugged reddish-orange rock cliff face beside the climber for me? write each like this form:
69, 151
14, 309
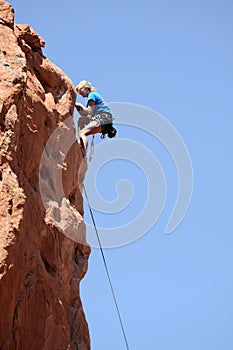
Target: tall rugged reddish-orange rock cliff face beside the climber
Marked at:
43, 253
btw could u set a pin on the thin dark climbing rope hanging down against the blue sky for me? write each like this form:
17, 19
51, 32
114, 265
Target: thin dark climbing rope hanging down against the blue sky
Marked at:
106, 269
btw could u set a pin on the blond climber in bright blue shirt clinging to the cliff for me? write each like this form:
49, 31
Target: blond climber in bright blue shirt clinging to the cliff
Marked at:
96, 117
